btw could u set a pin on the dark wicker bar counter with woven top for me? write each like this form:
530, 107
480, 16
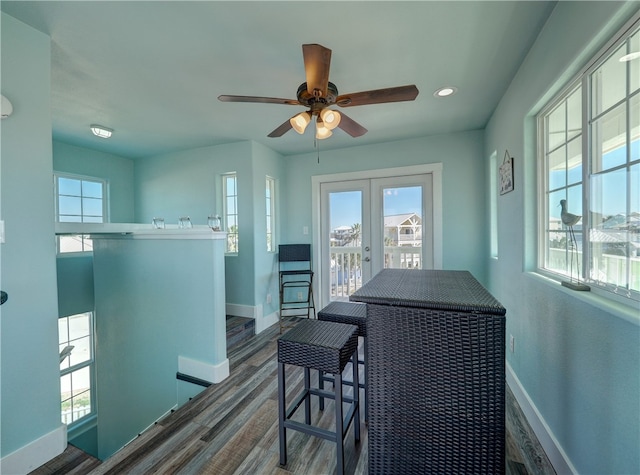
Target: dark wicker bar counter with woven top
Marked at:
435, 372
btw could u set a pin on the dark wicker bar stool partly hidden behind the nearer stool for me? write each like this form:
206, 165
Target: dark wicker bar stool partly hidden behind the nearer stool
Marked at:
353, 314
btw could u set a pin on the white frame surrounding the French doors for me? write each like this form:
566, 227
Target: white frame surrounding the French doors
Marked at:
435, 169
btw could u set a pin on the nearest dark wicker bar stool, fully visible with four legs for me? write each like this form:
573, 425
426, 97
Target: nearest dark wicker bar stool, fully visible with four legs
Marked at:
323, 346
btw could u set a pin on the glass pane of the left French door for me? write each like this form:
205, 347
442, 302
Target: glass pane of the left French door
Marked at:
345, 220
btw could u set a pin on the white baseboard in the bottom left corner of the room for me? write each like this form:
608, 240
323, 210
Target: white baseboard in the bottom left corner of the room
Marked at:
36, 453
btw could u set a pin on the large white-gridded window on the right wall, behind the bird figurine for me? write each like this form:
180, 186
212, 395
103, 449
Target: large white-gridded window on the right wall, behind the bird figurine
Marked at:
590, 143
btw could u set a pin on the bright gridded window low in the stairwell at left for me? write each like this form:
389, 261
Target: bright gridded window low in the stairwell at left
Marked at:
75, 337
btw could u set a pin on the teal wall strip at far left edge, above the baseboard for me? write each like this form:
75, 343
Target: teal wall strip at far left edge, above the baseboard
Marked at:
30, 392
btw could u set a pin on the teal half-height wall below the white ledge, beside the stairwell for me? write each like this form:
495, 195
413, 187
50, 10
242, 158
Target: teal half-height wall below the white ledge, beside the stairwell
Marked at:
155, 301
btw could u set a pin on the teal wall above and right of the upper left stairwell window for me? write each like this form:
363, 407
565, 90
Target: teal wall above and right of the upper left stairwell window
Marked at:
116, 170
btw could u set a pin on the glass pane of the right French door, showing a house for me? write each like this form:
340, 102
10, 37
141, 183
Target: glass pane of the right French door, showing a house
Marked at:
402, 213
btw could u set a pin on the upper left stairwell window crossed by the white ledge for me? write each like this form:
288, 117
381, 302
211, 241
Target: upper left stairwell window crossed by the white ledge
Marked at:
79, 200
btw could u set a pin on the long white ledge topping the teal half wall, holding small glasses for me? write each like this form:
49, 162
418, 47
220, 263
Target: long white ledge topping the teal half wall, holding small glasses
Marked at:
138, 231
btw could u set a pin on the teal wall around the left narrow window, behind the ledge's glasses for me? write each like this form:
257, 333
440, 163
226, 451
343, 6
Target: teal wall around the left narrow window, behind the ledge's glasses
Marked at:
189, 183
